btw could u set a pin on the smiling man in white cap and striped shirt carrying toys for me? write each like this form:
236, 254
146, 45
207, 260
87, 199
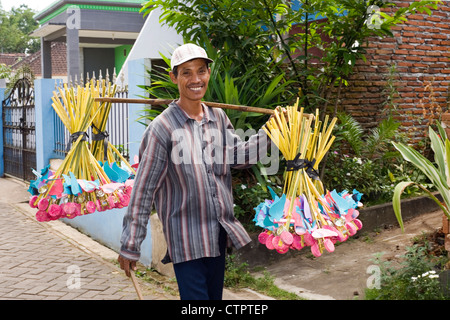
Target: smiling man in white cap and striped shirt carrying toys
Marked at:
193, 199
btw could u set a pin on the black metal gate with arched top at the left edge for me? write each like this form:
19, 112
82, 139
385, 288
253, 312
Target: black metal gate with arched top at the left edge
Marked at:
19, 136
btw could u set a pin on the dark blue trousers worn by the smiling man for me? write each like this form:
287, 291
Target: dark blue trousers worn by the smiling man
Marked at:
202, 279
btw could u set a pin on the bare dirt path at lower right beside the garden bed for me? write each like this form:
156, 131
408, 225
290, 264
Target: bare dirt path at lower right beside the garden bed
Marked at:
343, 274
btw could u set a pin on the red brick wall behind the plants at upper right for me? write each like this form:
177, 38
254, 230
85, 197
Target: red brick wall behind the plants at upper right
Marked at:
420, 49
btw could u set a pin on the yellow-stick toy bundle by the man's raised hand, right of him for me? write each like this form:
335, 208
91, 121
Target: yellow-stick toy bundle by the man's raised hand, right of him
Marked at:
305, 214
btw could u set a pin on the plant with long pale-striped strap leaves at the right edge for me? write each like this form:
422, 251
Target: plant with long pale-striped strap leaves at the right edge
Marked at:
438, 174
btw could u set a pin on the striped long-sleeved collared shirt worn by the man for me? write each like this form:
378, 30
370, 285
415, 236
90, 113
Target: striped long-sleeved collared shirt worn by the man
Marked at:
184, 170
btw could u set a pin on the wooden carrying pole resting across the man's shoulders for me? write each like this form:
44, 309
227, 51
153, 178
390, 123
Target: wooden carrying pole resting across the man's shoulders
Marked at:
158, 102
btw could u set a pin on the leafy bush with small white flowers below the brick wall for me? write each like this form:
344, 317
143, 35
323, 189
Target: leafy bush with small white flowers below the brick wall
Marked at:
368, 162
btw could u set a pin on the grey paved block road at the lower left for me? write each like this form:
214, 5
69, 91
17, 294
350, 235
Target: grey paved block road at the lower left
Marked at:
38, 264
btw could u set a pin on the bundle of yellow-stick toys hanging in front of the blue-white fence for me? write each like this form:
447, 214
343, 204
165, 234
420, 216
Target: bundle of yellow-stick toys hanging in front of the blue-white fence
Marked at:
89, 179
